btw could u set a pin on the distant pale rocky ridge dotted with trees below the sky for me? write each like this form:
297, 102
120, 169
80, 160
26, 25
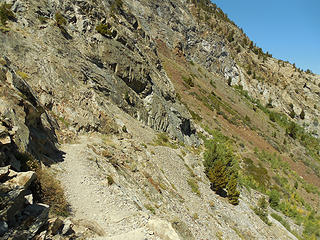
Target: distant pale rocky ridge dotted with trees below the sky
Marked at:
182, 27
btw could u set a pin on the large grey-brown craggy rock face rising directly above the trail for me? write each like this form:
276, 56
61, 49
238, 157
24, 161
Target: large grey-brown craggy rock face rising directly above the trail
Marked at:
72, 69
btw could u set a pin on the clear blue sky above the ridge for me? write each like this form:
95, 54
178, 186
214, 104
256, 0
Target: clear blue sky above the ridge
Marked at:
288, 29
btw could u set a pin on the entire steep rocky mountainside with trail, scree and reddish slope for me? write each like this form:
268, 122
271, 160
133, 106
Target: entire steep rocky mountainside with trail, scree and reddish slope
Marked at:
132, 93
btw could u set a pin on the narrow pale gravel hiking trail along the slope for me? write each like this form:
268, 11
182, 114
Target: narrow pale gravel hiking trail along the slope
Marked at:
108, 209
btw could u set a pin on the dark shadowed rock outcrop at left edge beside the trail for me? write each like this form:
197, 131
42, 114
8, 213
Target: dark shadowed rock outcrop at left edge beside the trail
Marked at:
25, 125
